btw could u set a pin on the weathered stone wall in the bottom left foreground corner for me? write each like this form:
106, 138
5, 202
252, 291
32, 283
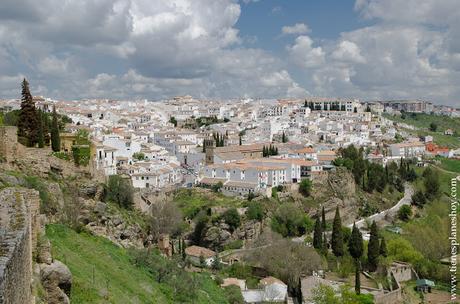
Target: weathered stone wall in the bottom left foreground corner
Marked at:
19, 225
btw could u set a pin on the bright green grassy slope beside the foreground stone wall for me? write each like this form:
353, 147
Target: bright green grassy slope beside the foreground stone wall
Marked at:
104, 273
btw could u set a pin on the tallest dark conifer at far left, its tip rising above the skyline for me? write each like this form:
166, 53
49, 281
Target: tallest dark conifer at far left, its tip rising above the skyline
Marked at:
28, 125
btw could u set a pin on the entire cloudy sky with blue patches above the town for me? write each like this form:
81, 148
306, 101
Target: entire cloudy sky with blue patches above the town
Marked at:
155, 49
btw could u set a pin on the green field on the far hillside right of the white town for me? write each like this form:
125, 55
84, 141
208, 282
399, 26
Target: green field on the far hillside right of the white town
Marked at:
423, 121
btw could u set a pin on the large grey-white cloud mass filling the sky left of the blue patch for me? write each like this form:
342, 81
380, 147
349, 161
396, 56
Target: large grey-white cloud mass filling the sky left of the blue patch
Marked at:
139, 48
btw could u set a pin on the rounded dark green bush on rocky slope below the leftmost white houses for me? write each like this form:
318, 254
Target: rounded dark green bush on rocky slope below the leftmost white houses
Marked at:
120, 191
